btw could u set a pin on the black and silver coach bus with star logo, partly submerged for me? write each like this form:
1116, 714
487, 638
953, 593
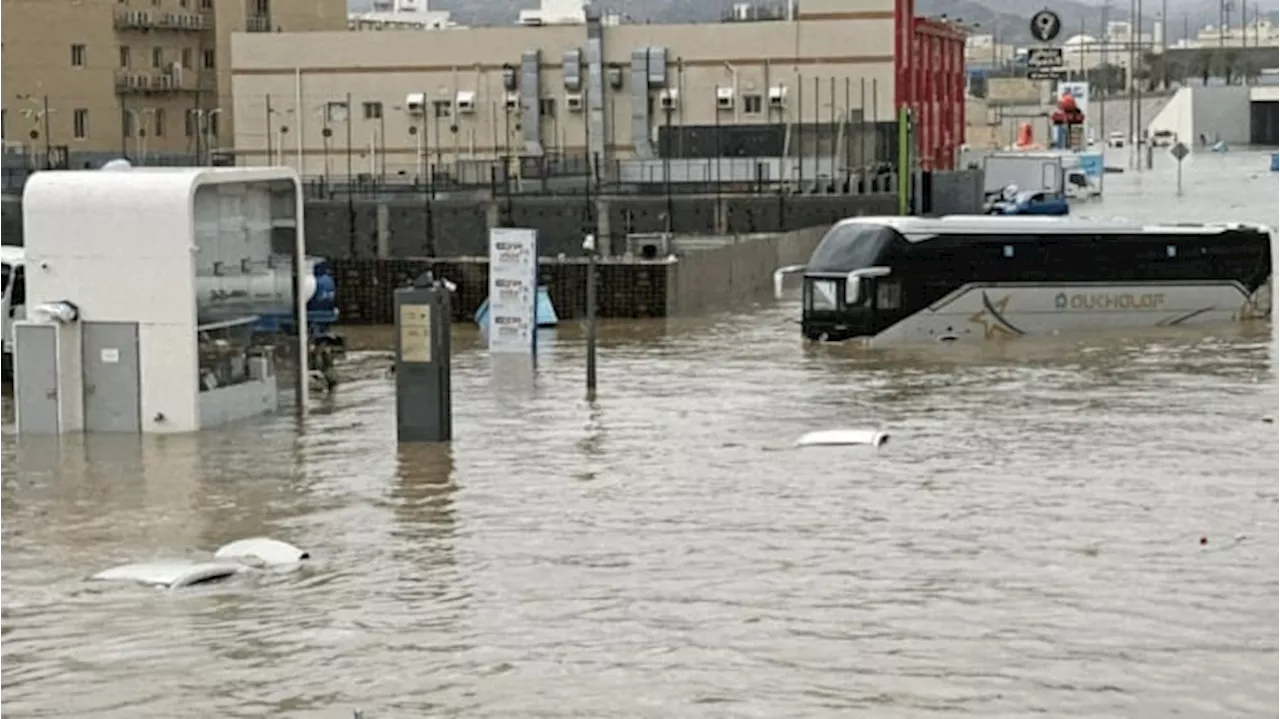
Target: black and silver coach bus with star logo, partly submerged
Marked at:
886, 281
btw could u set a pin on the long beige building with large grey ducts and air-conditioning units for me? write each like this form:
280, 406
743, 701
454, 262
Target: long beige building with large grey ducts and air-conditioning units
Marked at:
419, 99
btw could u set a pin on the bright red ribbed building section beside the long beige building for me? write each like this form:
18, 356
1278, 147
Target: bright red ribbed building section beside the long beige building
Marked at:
929, 79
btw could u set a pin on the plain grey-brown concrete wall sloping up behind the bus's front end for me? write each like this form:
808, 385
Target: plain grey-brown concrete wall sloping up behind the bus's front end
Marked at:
737, 274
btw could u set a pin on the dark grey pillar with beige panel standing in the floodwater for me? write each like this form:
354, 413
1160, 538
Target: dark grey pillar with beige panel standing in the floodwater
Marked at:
423, 370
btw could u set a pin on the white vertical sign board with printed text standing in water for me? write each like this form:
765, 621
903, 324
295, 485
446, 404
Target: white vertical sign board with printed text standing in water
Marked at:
513, 290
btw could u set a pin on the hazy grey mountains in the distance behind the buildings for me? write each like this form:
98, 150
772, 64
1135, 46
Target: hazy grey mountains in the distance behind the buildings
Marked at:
1008, 20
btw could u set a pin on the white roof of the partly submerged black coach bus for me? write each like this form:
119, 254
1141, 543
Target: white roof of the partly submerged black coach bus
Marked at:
917, 230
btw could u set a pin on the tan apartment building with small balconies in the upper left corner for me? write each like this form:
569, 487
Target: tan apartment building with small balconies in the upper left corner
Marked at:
145, 77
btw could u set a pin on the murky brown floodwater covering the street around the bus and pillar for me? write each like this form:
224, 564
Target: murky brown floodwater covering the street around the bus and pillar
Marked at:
1030, 542
